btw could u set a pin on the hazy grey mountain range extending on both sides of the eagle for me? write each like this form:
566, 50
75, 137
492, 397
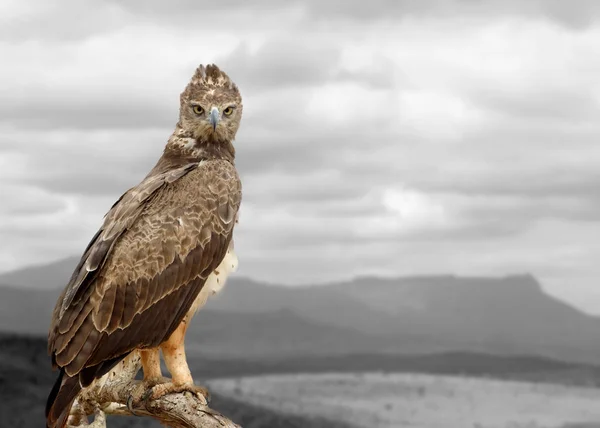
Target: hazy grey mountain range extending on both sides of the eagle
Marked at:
510, 315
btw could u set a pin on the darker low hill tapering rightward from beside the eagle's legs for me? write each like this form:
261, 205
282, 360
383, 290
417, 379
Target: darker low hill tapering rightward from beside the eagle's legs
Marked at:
283, 333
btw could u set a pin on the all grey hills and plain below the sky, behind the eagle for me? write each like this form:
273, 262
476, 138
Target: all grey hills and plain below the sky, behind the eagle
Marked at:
428, 351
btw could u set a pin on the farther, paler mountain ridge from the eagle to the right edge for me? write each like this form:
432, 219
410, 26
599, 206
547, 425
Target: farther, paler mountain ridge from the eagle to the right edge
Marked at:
509, 315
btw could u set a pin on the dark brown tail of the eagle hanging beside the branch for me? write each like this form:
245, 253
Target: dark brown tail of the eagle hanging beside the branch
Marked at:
61, 399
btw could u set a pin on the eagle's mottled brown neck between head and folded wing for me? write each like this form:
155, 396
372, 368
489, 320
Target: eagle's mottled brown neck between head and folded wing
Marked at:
183, 149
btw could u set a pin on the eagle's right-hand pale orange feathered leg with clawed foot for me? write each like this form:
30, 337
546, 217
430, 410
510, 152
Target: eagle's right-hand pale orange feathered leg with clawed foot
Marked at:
181, 377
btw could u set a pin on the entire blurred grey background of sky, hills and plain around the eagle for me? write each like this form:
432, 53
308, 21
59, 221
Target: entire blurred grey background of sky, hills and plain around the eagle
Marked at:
419, 234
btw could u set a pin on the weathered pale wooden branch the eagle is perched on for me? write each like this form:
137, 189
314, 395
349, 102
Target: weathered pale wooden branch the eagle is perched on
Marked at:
110, 395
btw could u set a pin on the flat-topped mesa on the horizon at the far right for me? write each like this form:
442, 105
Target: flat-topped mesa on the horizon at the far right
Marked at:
510, 314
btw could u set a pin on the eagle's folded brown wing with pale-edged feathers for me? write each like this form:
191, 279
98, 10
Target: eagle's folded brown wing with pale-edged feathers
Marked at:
144, 268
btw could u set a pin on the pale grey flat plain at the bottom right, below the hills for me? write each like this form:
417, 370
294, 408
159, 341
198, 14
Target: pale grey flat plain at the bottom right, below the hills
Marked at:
395, 400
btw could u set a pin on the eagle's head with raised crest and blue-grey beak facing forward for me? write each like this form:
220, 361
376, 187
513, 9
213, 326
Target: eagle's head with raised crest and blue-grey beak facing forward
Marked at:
211, 106
